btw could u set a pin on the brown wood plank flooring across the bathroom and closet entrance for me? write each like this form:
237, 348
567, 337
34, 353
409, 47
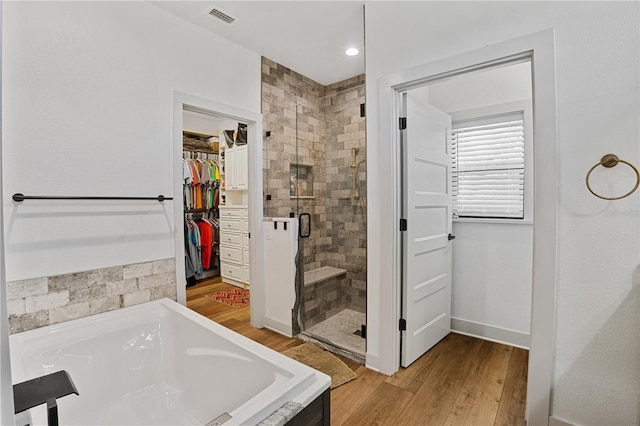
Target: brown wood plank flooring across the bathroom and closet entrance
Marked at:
460, 381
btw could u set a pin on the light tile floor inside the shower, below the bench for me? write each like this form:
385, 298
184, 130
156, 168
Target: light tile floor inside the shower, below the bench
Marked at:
340, 328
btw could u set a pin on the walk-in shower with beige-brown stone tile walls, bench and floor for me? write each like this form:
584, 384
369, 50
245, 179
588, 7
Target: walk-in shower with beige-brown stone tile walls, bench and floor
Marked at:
314, 152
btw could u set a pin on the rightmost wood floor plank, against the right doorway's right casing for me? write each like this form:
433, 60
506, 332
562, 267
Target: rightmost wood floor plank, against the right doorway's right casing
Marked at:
514, 394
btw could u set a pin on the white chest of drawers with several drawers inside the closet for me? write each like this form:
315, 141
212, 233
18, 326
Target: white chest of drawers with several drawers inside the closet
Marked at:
234, 245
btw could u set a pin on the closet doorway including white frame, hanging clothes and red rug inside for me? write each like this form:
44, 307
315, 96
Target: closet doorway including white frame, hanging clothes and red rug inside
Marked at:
215, 146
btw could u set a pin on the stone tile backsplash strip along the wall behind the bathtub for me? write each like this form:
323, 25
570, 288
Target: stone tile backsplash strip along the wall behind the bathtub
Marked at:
39, 302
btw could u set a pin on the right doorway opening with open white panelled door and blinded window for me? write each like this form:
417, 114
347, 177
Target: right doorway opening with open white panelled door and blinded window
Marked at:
469, 179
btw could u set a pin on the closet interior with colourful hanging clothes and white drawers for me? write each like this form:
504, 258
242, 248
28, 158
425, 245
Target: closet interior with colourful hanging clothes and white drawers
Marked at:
215, 184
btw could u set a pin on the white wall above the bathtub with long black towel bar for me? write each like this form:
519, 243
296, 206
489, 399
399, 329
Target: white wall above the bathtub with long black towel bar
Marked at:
88, 111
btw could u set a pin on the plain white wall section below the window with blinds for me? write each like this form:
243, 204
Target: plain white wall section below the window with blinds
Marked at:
491, 278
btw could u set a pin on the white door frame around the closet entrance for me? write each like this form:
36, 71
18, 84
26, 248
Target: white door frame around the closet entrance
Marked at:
254, 146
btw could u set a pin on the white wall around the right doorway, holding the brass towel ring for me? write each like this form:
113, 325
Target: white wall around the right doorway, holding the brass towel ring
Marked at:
597, 354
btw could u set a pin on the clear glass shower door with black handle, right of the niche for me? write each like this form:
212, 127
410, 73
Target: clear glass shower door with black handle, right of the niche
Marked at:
330, 186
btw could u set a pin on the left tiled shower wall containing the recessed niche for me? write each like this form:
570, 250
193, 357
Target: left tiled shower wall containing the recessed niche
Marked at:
292, 109
